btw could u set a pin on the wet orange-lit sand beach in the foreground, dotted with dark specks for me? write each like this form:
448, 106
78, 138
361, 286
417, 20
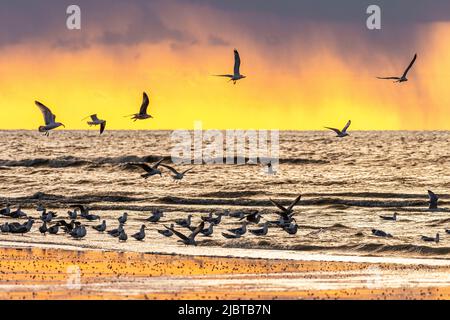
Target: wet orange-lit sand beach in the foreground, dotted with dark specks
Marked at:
36, 273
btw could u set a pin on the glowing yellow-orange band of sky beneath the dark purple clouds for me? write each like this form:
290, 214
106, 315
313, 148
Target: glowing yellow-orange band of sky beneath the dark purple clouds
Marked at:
302, 82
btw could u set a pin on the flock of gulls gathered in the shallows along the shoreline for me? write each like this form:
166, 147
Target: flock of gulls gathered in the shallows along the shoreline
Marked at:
51, 223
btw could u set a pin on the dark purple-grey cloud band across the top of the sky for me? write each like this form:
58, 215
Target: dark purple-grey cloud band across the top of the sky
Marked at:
141, 21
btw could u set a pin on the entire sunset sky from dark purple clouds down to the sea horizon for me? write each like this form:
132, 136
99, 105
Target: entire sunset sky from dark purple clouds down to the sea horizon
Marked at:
309, 64
